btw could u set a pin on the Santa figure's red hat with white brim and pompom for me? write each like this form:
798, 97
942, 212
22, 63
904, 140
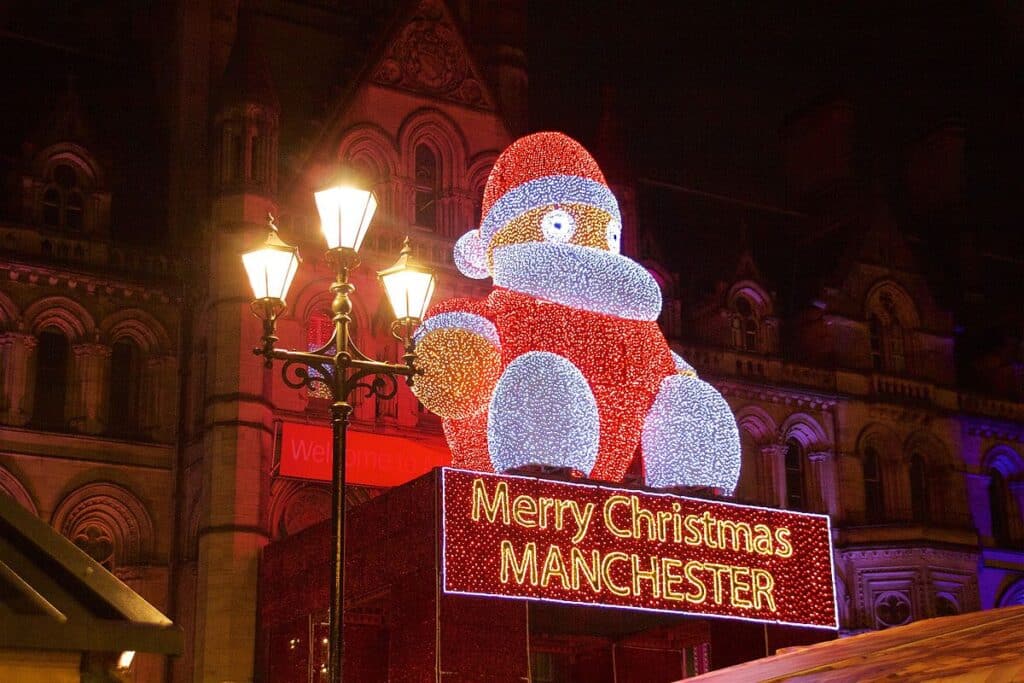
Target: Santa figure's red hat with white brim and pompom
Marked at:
538, 170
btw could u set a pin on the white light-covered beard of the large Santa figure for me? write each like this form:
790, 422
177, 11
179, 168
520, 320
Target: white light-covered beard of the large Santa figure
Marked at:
584, 278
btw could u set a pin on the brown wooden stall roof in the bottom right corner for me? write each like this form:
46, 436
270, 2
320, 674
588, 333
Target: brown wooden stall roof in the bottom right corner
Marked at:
976, 647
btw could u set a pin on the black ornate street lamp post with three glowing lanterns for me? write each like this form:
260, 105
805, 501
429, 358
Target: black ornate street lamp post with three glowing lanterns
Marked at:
346, 216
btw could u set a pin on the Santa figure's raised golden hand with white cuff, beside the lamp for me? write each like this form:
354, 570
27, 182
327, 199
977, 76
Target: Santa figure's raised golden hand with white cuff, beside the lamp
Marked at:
459, 354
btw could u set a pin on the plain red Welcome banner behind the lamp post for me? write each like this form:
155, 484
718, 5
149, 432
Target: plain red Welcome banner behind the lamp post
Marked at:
372, 460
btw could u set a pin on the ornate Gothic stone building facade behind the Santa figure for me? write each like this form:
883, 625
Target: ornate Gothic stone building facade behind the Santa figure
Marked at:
136, 419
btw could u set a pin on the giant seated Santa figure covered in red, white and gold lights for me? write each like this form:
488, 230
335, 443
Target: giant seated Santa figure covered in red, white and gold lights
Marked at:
564, 365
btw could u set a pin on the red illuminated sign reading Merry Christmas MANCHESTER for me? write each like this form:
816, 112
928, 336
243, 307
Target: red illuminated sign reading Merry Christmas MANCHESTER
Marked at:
525, 538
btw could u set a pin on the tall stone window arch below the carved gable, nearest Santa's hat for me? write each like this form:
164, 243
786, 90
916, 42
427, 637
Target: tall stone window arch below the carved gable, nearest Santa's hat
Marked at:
445, 138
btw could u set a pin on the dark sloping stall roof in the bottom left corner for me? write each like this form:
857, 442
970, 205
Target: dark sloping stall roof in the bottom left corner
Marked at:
56, 597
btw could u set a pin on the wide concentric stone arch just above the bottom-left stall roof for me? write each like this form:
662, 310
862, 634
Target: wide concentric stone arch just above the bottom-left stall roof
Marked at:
105, 511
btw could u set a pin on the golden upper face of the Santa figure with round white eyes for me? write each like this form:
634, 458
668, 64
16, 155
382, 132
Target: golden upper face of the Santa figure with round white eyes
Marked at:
562, 224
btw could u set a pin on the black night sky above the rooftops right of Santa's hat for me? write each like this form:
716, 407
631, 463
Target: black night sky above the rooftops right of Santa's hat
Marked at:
703, 88
